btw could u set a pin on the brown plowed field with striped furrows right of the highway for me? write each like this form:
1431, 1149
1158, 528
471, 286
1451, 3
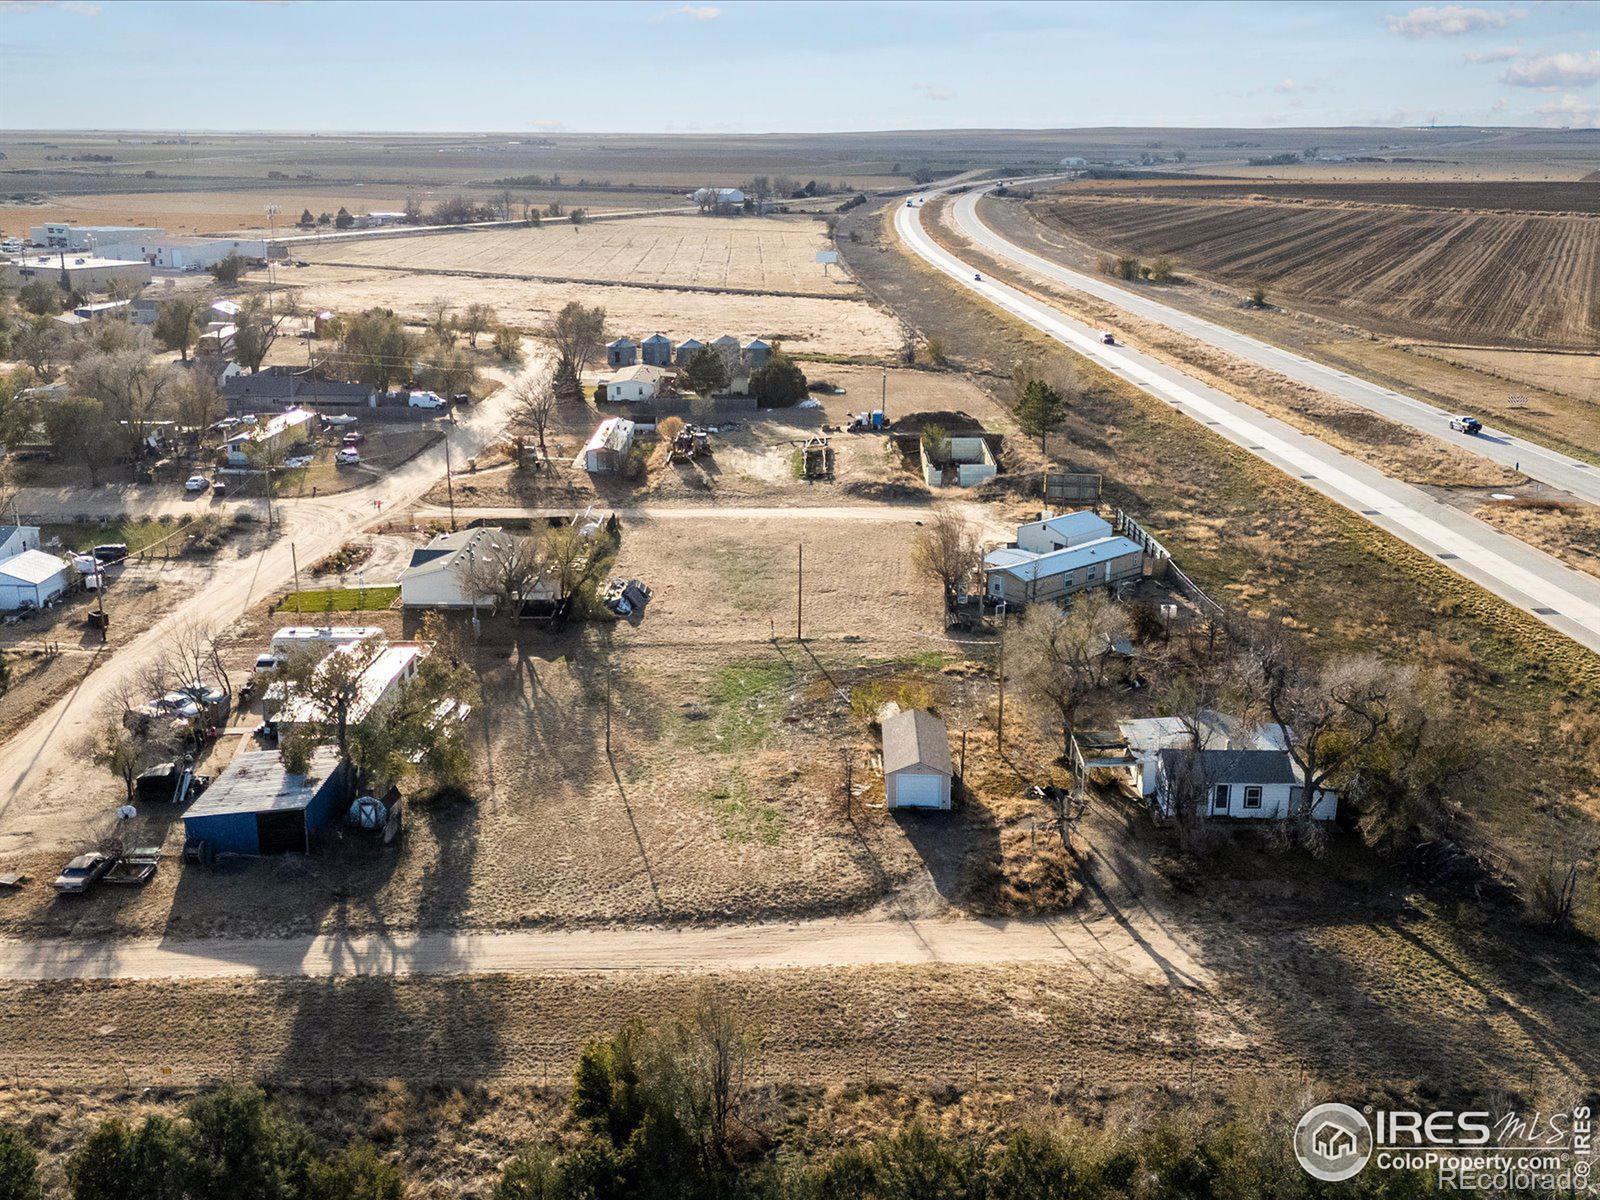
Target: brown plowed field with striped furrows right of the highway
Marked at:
1487, 278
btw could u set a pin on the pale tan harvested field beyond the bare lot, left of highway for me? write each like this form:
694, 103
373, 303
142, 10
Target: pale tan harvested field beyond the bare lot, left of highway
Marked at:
706, 252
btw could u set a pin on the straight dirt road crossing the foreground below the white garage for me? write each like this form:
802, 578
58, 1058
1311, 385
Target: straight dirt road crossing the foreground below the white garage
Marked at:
1142, 950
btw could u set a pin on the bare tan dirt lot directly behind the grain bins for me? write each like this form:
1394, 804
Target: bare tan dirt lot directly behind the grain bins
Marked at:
804, 324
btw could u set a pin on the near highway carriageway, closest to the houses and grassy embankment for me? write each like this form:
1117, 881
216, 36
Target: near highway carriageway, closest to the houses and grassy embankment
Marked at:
1561, 598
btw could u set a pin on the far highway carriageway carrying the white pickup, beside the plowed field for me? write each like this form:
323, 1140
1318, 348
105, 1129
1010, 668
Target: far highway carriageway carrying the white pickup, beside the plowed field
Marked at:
1532, 460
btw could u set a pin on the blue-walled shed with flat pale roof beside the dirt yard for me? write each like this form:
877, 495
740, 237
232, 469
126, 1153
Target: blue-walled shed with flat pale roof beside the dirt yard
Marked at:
257, 807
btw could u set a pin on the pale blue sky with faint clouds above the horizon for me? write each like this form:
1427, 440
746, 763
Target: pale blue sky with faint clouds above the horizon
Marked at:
767, 68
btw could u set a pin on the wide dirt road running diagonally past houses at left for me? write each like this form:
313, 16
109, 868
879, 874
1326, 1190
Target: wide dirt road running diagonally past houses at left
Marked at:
34, 788
